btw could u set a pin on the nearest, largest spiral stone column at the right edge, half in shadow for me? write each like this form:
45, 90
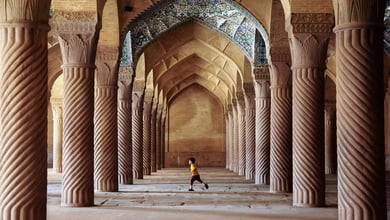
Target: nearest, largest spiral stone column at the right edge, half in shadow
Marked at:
361, 174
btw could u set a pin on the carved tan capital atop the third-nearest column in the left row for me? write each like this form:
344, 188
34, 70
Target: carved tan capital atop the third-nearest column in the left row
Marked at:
107, 66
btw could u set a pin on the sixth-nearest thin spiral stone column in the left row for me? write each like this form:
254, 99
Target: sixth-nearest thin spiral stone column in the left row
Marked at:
148, 103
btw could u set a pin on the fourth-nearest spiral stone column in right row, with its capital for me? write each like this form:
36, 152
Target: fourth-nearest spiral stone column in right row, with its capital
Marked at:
263, 107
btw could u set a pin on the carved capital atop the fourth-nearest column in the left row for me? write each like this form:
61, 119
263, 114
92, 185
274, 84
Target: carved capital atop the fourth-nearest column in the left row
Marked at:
125, 80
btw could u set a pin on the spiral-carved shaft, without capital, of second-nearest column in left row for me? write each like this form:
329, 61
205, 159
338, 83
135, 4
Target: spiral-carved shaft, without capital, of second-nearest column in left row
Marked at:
78, 137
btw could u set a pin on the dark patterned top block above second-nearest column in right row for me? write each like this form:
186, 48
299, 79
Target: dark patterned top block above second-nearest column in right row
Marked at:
312, 22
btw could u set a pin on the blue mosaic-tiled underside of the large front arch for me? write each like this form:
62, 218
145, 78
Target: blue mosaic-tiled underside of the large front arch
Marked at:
224, 16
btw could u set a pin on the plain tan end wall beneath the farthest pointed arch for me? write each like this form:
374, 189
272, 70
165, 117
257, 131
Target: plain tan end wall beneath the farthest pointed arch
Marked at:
196, 127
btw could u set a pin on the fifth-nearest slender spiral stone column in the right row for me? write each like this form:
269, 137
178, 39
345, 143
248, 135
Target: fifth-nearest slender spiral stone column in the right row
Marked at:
250, 128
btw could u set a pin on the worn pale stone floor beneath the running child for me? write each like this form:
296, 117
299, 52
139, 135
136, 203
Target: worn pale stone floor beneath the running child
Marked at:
165, 195
